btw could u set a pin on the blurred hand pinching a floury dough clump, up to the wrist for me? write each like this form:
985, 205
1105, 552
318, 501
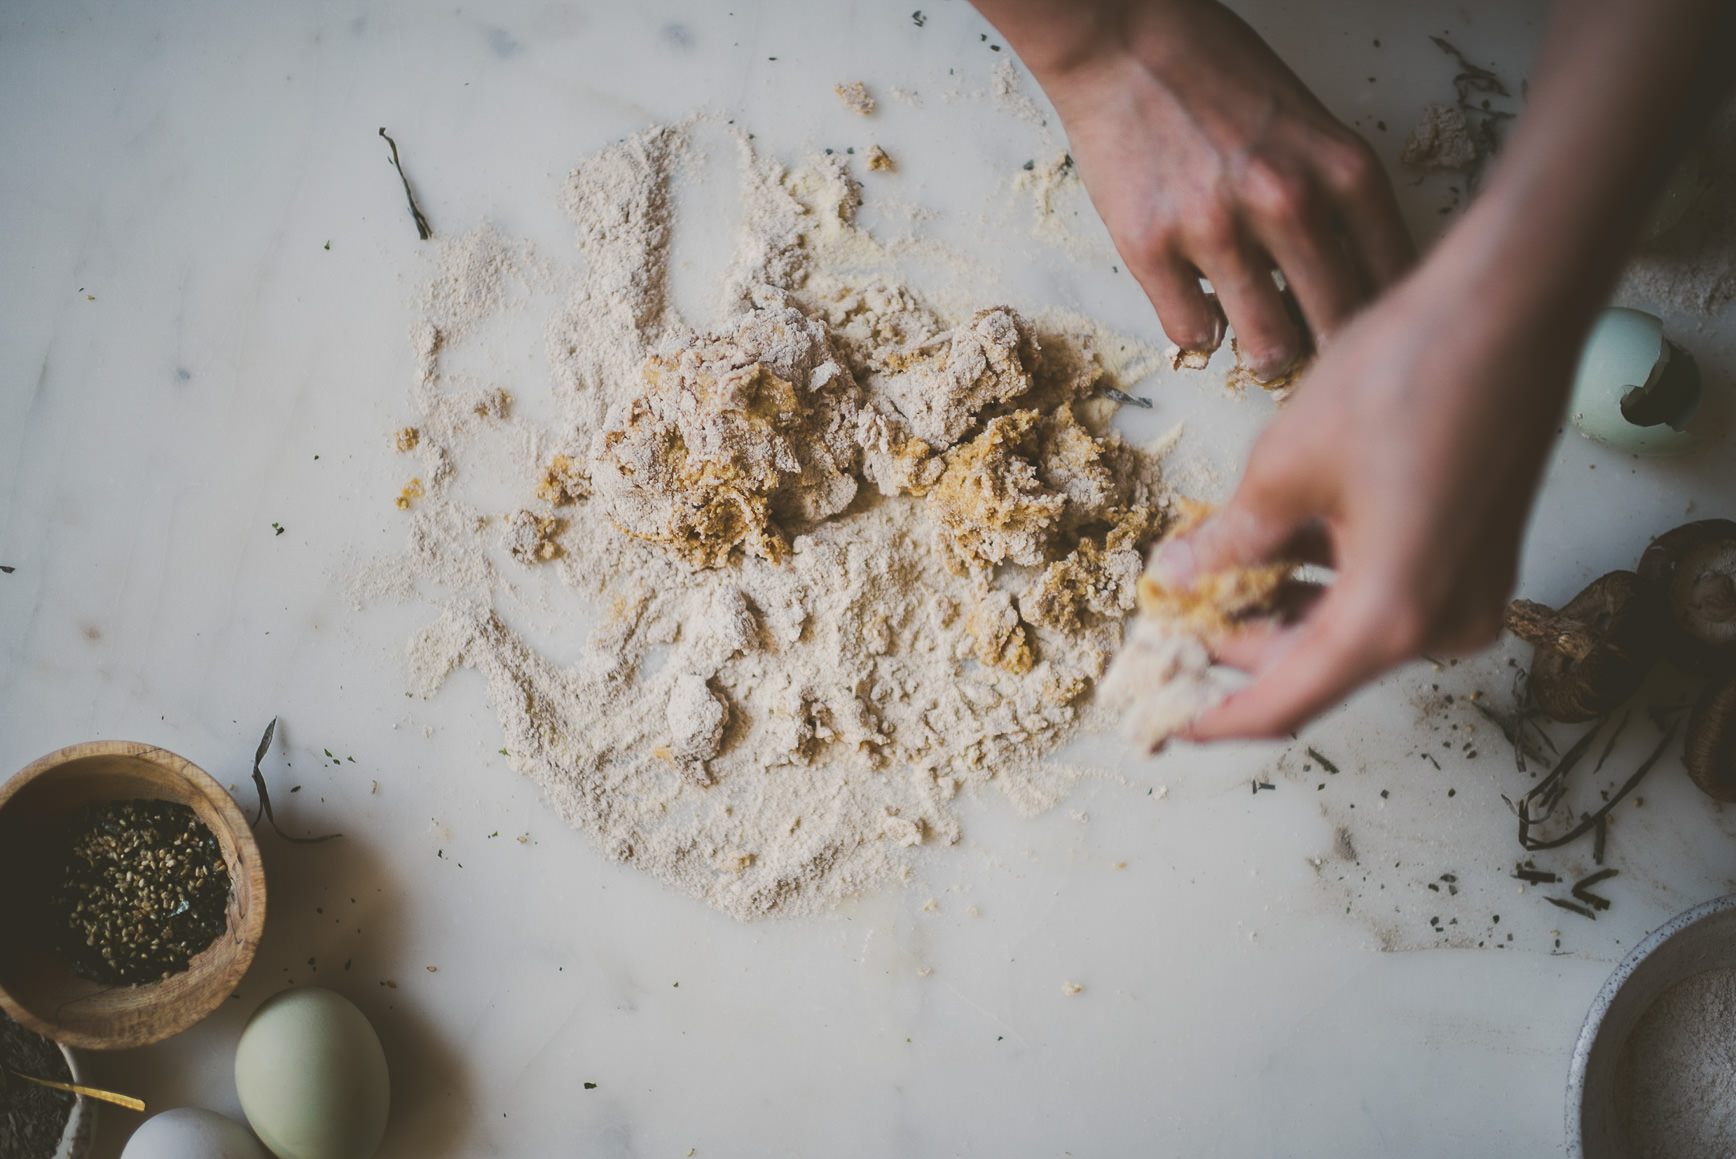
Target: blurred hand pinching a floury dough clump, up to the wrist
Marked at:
1407, 462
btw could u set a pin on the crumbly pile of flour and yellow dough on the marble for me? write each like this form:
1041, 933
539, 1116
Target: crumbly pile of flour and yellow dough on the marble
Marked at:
850, 556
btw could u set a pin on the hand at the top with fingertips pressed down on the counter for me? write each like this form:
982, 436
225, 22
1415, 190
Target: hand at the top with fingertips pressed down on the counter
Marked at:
1206, 155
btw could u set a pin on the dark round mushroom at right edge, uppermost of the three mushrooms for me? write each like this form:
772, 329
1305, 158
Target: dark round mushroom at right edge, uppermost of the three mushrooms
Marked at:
1693, 572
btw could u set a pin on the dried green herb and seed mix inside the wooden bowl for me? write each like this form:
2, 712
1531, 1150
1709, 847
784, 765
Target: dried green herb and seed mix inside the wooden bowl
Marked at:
143, 891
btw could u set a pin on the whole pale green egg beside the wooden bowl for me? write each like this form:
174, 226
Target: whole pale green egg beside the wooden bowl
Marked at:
312, 1077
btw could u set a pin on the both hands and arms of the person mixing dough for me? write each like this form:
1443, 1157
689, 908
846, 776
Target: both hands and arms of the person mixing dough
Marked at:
1414, 447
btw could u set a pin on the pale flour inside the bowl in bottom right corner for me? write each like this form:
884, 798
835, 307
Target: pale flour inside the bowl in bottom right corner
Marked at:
1676, 1078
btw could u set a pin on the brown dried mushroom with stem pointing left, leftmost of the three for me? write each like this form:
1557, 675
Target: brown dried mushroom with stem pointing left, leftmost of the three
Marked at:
1595, 652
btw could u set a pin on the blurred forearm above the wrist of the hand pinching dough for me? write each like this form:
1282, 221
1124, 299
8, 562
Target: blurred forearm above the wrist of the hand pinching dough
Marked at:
1621, 88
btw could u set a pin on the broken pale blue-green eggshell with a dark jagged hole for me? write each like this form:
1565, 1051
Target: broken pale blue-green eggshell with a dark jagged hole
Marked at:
1636, 391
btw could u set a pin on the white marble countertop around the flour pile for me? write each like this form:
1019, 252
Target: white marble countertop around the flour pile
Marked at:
202, 339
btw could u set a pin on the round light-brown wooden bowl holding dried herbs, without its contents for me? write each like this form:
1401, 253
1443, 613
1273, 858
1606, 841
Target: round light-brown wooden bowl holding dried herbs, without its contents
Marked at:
37, 986
